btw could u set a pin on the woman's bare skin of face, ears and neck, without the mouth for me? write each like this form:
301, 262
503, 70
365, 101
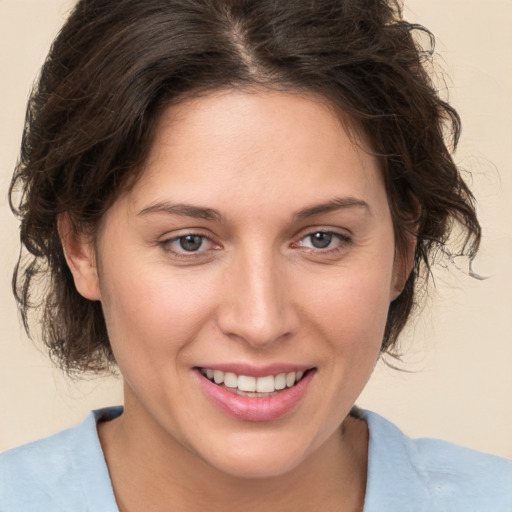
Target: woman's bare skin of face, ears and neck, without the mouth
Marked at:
257, 292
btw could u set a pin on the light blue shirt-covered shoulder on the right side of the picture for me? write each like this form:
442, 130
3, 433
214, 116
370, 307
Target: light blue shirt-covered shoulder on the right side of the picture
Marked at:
432, 474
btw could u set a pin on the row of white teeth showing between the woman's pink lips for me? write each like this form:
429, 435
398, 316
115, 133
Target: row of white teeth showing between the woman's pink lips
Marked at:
258, 387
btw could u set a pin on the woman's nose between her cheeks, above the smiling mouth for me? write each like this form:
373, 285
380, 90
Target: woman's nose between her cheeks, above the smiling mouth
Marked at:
257, 306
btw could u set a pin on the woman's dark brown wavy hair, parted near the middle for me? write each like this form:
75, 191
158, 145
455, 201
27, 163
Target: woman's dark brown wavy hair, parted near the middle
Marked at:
116, 65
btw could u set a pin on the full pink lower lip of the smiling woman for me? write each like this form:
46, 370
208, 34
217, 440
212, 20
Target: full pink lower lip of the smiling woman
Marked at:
252, 408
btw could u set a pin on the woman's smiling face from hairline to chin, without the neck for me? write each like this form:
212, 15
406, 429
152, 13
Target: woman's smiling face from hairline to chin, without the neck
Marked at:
257, 247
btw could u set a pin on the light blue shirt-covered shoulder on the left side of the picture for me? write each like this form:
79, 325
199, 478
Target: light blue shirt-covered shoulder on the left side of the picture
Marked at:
58, 472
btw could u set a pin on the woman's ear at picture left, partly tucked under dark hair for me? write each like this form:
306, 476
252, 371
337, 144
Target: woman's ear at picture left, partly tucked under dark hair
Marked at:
80, 257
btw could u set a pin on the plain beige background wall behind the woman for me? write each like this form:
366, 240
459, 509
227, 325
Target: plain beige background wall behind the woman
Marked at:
459, 350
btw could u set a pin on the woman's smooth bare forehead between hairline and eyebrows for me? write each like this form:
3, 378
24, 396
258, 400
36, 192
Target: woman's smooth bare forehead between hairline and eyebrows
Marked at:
256, 148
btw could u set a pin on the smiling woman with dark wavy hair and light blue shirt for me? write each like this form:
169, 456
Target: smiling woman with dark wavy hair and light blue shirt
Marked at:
235, 202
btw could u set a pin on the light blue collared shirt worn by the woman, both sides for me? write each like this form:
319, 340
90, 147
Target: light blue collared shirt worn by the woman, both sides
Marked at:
67, 473
